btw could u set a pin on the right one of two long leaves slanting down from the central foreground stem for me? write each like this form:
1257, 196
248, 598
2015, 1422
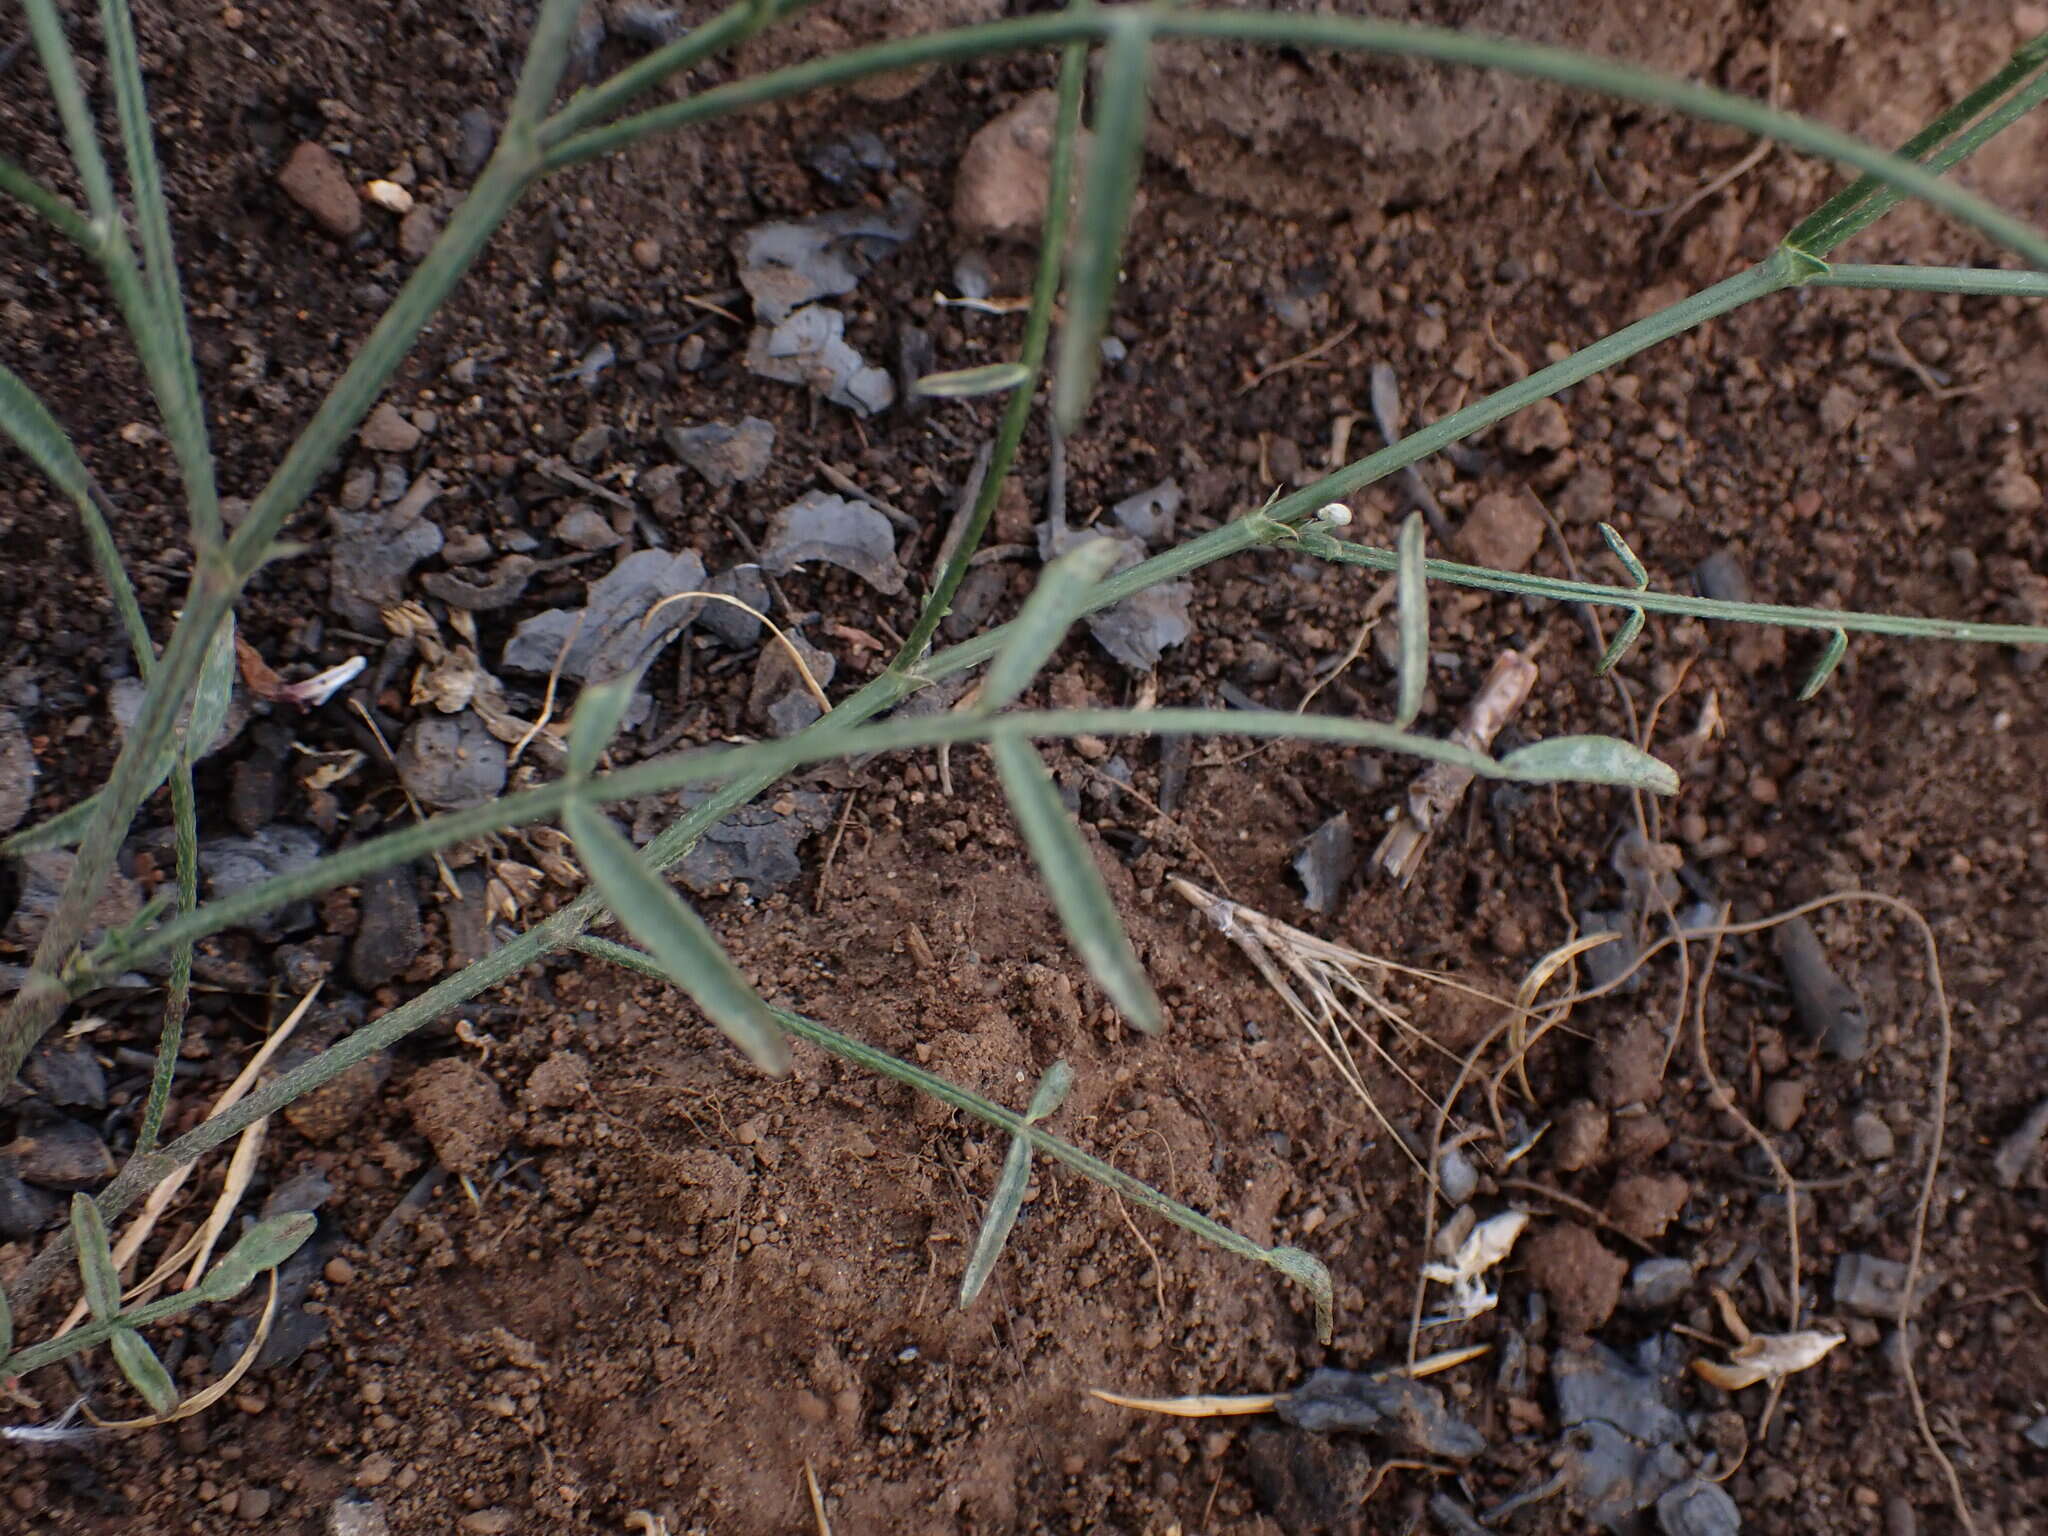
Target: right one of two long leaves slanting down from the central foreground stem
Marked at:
1076, 886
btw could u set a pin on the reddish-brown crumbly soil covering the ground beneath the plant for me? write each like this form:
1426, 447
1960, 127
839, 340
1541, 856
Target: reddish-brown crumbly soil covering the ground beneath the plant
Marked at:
671, 1285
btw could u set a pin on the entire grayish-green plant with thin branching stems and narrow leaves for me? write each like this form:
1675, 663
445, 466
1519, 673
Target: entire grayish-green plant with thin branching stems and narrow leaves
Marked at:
189, 685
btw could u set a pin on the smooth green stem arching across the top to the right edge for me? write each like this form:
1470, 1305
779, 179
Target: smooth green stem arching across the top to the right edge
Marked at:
1299, 30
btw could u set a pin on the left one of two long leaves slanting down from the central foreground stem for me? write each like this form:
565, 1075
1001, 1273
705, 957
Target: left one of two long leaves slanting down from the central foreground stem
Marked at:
677, 937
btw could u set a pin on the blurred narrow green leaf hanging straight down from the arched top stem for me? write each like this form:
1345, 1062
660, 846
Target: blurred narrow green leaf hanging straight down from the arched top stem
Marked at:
1113, 177
